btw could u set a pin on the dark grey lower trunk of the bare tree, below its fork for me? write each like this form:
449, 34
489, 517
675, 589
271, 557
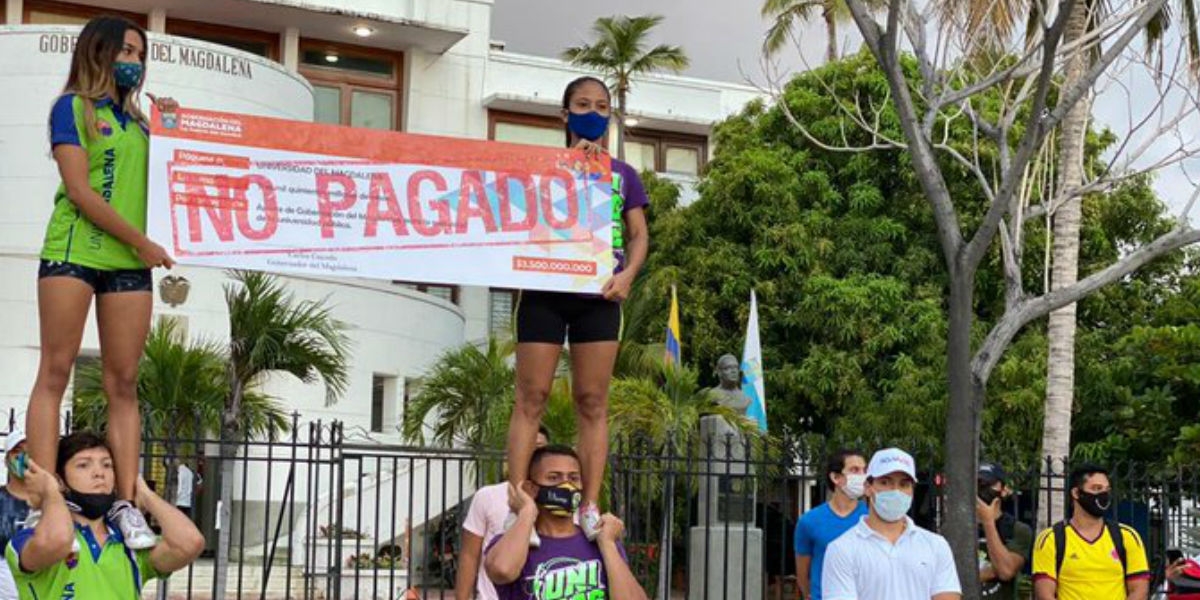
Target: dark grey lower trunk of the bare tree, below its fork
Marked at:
962, 440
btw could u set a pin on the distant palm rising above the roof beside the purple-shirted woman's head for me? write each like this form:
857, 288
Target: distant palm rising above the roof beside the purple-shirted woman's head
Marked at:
620, 53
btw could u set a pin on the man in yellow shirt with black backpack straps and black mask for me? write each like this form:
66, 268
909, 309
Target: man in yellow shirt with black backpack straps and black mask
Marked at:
1082, 559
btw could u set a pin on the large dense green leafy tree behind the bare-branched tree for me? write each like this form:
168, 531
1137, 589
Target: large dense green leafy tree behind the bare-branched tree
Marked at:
851, 284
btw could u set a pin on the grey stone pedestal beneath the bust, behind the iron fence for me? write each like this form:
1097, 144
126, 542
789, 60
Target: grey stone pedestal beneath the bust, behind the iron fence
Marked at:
725, 549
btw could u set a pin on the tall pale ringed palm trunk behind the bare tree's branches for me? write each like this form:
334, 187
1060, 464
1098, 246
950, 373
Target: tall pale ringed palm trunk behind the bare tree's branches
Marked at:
1065, 272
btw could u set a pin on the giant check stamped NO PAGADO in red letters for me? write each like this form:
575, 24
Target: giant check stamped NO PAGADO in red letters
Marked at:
250, 193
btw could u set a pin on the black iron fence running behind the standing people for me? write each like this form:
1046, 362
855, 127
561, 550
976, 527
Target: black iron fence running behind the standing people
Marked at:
322, 513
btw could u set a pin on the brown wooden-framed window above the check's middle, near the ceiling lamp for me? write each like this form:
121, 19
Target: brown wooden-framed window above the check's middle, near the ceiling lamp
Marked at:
353, 86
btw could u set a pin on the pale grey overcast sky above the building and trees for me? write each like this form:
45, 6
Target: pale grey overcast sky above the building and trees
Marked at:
724, 41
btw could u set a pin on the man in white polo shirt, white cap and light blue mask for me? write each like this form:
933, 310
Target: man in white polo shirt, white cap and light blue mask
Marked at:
886, 556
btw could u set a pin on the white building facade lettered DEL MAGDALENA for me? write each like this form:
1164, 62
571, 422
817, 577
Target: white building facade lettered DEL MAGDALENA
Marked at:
422, 67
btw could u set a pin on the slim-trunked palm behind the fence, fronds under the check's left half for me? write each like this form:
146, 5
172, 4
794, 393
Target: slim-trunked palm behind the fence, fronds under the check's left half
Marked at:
271, 332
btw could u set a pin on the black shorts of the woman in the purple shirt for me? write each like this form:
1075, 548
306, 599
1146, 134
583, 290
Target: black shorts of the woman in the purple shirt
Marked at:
554, 317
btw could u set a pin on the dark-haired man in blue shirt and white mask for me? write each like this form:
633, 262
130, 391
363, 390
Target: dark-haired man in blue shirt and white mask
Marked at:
847, 476
